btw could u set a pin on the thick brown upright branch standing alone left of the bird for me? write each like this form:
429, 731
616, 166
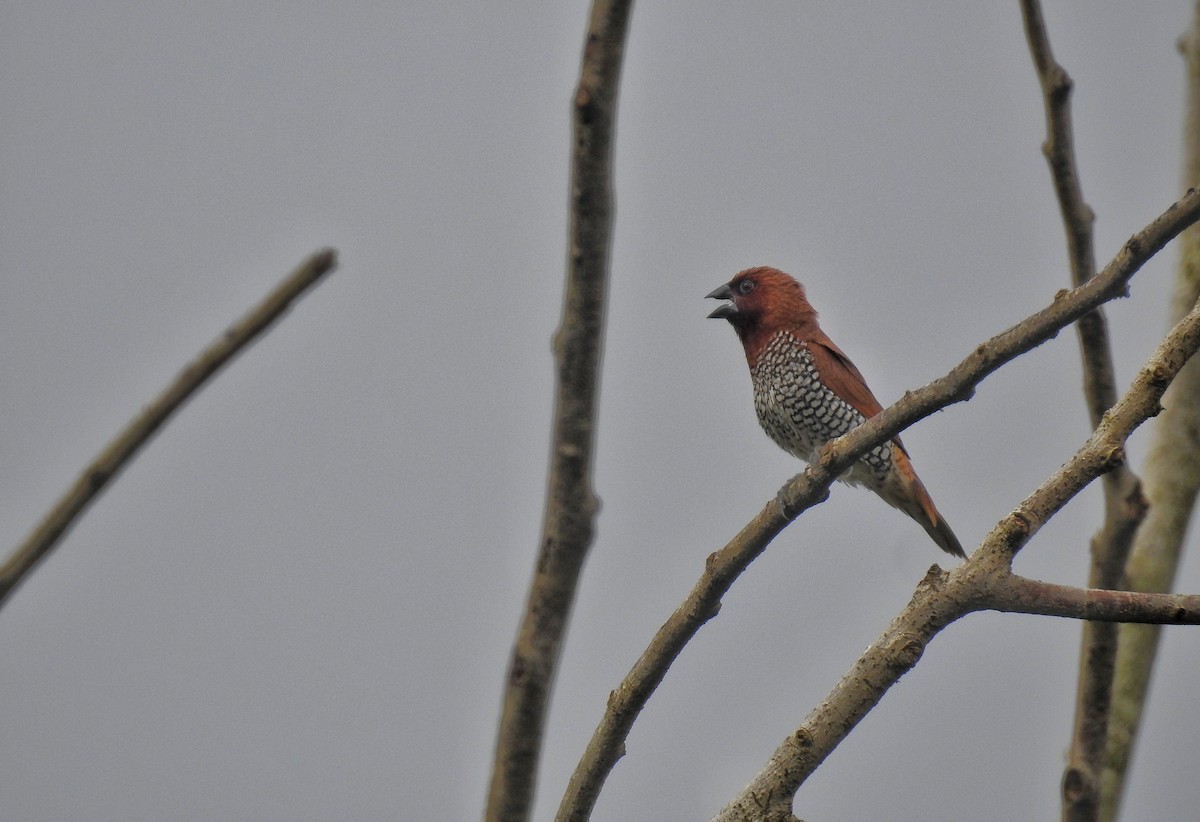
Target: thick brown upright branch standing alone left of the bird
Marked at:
571, 503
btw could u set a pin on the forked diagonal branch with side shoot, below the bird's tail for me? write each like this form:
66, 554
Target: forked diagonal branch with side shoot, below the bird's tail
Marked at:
983, 583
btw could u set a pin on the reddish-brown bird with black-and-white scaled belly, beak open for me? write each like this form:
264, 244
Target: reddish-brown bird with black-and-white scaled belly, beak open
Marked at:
807, 392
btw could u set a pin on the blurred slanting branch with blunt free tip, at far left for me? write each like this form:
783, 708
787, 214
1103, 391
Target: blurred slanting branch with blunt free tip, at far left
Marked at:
141, 429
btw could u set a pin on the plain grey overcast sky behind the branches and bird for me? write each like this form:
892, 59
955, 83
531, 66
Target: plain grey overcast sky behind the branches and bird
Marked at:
298, 603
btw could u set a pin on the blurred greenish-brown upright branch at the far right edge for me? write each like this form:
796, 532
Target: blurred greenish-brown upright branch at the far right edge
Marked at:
1172, 477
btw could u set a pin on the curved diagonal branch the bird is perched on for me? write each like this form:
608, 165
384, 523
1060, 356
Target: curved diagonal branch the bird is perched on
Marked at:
808, 489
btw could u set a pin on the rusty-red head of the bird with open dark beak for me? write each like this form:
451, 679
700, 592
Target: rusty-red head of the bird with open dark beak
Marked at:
763, 302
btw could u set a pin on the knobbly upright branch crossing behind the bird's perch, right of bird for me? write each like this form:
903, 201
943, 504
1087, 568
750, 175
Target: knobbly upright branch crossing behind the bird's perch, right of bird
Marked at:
1124, 503
